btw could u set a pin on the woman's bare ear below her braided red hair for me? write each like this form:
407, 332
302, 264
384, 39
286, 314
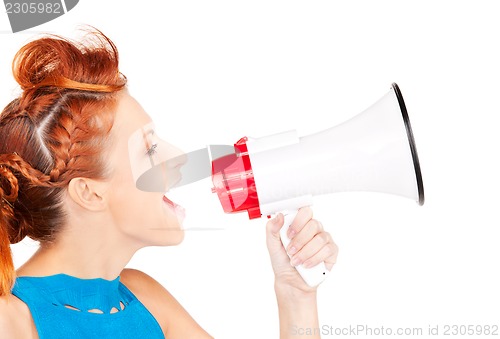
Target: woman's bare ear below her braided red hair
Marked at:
88, 193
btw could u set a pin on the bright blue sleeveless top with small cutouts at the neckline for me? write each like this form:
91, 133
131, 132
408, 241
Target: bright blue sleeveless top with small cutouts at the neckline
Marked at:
60, 305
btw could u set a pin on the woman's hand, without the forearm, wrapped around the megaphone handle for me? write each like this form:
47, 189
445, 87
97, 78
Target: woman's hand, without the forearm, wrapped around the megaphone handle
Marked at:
309, 246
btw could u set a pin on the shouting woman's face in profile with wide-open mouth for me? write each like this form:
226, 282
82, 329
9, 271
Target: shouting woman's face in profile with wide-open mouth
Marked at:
148, 217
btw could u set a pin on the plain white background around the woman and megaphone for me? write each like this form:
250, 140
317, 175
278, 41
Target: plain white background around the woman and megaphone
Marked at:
214, 71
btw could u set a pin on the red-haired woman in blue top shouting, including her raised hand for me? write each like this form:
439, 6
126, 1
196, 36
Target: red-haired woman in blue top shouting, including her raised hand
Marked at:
66, 181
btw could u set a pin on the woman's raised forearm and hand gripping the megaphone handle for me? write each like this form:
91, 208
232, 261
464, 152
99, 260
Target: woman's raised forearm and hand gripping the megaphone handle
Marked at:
309, 245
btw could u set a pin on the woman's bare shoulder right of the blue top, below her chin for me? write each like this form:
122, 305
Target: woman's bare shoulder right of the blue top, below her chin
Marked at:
172, 317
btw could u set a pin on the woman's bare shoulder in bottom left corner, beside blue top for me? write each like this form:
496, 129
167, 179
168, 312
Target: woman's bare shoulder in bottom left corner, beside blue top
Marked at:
15, 318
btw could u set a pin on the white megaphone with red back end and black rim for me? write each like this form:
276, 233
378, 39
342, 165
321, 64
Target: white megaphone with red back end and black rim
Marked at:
373, 151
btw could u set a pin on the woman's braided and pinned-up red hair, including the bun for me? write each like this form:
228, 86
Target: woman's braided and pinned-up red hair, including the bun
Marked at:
53, 132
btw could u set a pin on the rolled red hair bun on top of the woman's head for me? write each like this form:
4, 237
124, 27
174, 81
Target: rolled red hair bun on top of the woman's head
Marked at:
59, 62
